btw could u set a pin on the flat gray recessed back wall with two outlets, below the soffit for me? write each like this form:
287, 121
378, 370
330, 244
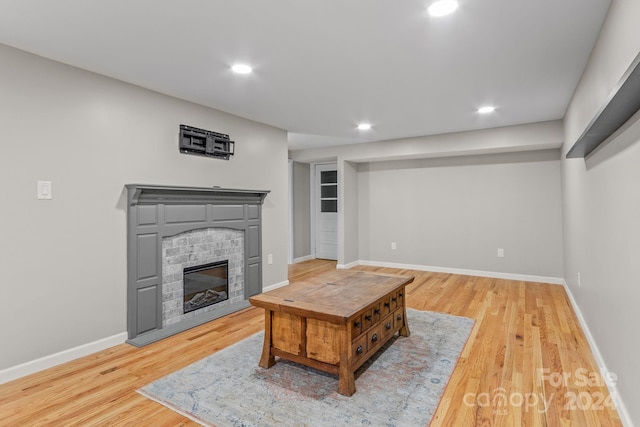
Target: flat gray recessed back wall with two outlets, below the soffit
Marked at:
455, 212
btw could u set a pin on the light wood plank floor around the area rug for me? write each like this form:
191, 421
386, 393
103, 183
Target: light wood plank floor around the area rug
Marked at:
520, 328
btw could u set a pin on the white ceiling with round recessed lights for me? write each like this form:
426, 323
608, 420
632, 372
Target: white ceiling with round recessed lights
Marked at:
323, 66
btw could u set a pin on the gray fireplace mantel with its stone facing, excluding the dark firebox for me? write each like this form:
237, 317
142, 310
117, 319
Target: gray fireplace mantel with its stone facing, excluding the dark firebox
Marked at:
169, 228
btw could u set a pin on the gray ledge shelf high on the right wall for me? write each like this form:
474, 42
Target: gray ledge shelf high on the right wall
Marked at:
621, 105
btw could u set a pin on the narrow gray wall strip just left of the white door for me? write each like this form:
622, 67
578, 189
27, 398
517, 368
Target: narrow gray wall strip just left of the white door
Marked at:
301, 210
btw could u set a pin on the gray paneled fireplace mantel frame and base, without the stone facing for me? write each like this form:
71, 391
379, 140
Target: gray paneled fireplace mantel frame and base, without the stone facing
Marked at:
155, 212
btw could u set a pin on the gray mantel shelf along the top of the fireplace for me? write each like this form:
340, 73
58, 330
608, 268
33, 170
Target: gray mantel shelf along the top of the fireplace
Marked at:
142, 194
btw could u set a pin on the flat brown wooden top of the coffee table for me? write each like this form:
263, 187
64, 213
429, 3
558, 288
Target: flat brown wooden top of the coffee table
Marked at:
333, 296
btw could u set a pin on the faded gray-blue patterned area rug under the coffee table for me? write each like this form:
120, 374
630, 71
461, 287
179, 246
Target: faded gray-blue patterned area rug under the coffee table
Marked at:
399, 386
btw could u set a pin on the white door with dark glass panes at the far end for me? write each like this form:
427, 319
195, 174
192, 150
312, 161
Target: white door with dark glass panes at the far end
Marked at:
326, 211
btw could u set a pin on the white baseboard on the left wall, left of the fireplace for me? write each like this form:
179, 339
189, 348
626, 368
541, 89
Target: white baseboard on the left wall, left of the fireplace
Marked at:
64, 356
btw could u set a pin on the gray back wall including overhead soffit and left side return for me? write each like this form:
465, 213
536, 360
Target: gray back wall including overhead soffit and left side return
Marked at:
411, 179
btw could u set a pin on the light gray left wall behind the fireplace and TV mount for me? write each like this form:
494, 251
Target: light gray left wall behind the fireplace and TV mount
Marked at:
64, 260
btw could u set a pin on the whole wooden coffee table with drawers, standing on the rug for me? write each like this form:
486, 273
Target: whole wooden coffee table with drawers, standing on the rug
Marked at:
333, 322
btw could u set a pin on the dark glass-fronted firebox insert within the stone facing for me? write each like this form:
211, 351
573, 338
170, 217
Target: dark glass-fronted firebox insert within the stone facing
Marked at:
205, 285
